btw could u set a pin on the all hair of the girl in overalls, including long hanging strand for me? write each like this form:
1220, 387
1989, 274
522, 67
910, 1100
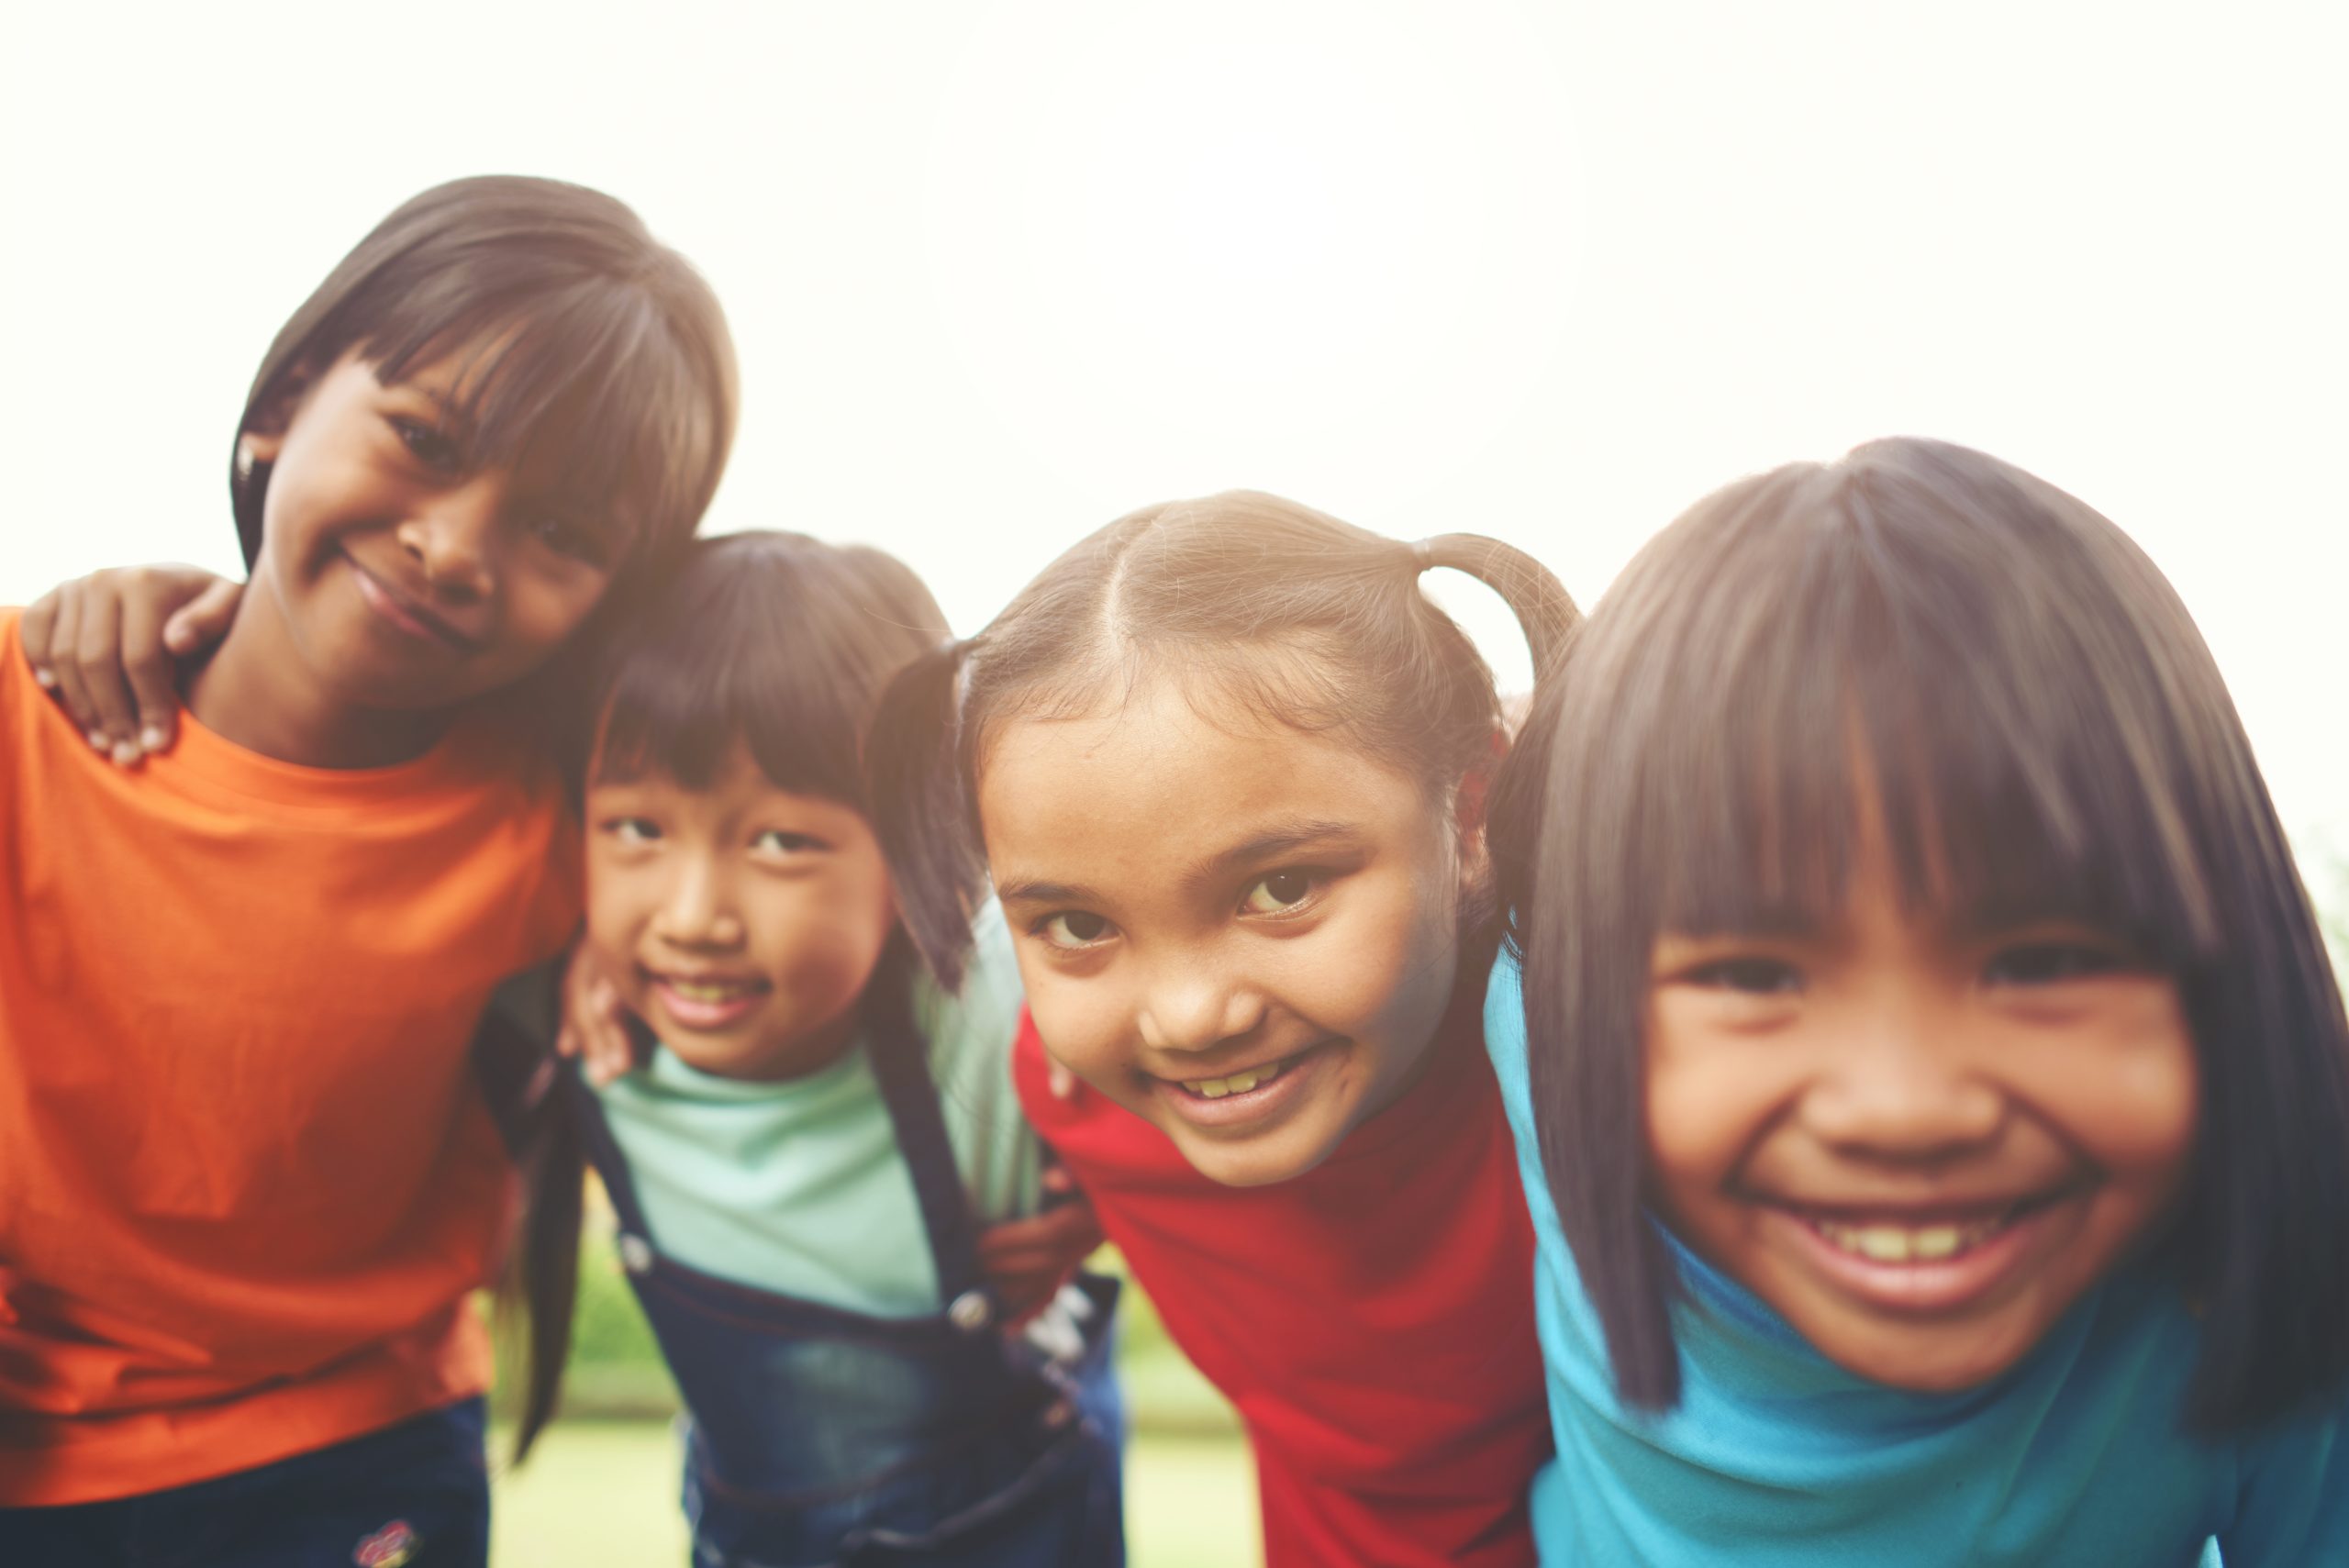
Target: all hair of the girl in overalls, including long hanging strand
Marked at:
769, 642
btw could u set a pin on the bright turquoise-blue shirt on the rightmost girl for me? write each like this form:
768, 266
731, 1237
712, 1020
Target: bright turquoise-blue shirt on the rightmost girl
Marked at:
1779, 1459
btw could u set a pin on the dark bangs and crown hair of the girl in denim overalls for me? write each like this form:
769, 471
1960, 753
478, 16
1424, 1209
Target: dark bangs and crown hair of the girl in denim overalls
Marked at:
774, 642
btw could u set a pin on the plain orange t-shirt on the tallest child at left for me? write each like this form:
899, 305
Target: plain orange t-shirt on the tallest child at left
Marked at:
248, 1184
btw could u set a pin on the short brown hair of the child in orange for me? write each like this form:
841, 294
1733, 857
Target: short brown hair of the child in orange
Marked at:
581, 330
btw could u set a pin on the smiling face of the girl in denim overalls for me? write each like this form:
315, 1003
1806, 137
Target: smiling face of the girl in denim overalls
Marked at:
741, 921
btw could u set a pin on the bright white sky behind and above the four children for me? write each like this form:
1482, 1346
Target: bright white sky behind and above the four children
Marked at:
1007, 271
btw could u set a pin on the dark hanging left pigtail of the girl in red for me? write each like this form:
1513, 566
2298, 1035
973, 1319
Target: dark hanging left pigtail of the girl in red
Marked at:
922, 809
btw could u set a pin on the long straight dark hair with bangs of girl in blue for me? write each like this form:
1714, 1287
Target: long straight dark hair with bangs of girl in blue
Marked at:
2045, 734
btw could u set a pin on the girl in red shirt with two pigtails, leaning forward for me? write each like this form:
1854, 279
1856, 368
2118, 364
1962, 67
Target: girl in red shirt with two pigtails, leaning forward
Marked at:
1227, 764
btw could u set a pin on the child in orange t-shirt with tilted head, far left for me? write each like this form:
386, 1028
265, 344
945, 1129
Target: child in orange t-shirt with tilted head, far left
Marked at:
245, 1180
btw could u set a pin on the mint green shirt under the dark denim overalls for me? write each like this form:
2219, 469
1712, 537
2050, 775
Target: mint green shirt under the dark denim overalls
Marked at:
800, 1189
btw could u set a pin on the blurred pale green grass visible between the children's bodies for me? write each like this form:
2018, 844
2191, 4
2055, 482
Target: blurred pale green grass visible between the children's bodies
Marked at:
603, 1485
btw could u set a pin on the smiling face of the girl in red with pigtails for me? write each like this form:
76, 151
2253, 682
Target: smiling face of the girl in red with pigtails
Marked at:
1246, 935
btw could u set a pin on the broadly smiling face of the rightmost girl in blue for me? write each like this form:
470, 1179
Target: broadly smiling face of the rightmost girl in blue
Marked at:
1918, 1144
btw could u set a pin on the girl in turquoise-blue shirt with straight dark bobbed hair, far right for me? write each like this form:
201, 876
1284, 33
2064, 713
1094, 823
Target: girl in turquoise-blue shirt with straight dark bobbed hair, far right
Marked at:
1930, 1081
